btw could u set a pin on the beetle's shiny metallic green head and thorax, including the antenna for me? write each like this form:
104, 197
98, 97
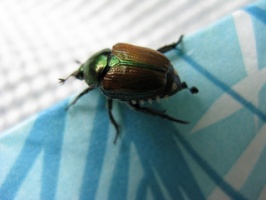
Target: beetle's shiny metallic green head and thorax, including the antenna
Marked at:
92, 70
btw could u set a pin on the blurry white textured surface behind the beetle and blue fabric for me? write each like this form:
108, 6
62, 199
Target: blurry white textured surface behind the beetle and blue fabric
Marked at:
41, 39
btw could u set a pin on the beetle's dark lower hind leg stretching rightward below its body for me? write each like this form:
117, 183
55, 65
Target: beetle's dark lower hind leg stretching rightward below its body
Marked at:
151, 111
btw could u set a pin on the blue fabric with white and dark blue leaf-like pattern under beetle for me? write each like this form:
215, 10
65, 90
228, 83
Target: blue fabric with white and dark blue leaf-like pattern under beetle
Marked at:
221, 154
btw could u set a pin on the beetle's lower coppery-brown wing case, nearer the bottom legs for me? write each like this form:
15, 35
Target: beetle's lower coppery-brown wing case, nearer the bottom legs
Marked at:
132, 83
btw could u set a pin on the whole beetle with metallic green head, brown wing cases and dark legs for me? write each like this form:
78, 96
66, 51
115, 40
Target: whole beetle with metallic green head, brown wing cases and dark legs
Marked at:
132, 74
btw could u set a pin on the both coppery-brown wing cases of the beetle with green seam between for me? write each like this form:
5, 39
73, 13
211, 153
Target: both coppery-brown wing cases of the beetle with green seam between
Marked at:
140, 73
